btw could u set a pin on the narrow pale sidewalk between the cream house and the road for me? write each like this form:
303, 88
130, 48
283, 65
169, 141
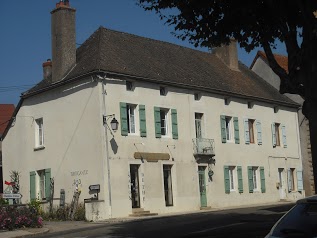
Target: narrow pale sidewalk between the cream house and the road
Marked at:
59, 226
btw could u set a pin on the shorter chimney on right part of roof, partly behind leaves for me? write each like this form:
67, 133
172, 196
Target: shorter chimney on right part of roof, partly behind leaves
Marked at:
228, 54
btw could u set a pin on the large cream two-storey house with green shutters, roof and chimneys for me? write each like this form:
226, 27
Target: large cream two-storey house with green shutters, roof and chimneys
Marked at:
196, 129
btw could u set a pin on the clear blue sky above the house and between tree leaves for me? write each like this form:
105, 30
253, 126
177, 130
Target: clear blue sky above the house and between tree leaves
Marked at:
25, 36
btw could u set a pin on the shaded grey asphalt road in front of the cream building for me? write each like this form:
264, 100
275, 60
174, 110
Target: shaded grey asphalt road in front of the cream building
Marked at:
245, 222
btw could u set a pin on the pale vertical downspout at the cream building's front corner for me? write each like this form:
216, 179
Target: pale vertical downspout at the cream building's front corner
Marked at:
102, 81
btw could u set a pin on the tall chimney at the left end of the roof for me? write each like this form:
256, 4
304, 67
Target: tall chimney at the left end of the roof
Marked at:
63, 40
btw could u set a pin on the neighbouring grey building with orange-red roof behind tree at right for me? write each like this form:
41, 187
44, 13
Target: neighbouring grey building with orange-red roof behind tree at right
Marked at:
261, 67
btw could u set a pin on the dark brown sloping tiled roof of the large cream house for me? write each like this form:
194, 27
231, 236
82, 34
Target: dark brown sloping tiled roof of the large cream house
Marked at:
122, 53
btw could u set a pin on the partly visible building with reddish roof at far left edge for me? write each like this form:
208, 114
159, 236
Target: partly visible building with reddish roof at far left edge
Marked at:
6, 111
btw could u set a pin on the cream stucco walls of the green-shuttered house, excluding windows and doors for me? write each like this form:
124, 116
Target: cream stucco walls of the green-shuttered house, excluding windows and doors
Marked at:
78, 148
